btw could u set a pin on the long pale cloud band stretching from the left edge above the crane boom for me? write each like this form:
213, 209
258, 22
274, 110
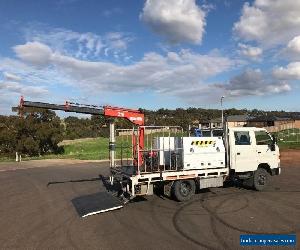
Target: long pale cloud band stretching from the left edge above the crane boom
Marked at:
154, 72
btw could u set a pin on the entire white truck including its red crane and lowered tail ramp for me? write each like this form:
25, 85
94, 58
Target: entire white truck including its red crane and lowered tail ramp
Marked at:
163, 156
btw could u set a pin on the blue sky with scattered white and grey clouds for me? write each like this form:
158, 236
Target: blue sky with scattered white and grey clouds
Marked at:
151, 54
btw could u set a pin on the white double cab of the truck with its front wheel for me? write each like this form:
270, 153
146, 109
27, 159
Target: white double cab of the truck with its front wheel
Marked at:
253, 155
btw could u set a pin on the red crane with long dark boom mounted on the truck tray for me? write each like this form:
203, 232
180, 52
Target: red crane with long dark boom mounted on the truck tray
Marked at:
136, 117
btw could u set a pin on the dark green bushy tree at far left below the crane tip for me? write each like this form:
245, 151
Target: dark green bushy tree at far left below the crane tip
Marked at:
37, 133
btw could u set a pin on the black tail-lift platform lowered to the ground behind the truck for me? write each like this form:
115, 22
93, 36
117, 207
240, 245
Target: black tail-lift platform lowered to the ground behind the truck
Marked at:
96, 203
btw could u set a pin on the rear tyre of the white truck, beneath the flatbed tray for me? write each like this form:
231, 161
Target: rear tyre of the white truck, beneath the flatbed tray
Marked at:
183, 190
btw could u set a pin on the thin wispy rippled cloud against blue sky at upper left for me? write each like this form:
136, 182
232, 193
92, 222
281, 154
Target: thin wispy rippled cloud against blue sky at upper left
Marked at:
80, 45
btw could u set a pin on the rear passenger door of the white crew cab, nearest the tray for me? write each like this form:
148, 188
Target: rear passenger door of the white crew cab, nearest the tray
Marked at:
243, 153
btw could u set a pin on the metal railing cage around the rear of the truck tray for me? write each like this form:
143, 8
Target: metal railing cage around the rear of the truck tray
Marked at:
161, 151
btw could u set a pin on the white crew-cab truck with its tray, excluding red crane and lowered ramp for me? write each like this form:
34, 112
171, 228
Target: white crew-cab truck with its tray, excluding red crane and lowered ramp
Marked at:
183, 164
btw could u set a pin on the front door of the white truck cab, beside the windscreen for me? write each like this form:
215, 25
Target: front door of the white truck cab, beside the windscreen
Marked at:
263, 149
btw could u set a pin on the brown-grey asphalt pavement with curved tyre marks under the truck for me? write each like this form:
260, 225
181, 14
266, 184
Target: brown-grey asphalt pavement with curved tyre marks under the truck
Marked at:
37, 212
